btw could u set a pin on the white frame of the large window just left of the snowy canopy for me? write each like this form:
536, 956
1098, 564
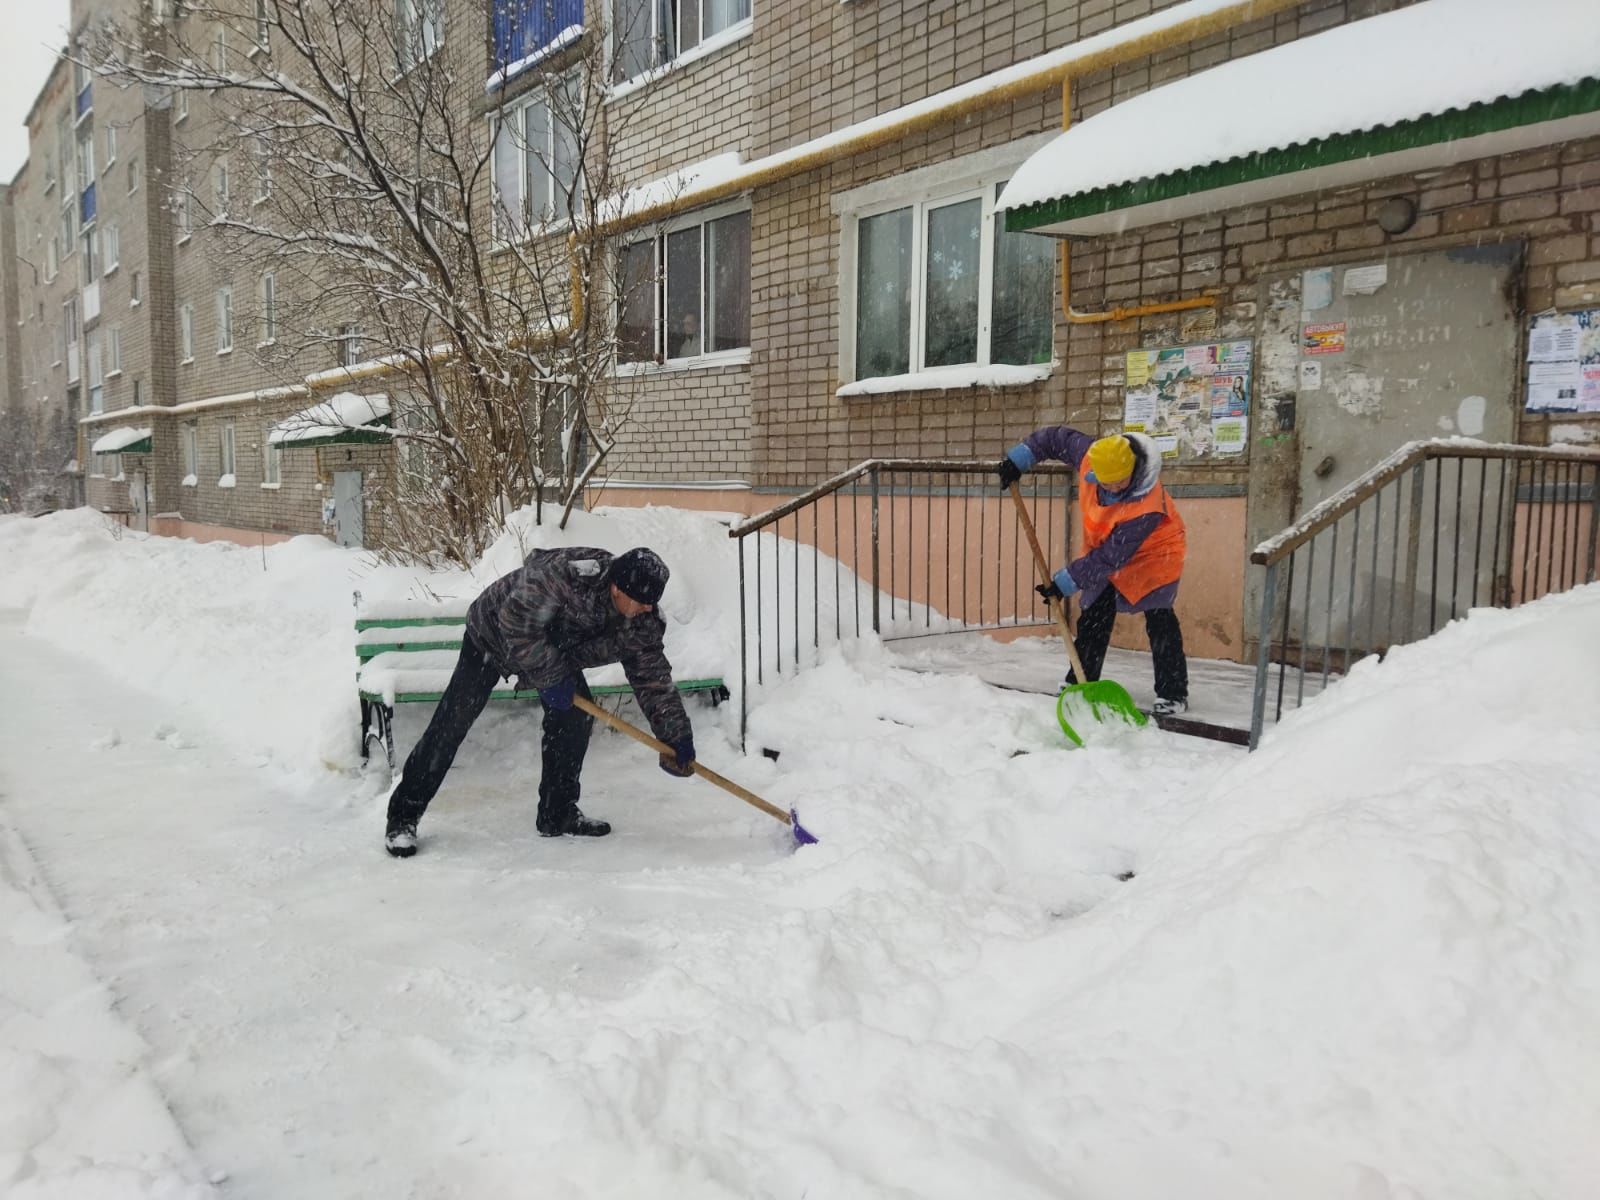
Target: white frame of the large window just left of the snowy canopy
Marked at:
922, 201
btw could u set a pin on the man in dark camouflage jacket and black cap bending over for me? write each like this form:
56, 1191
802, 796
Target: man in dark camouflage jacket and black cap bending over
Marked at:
561, 612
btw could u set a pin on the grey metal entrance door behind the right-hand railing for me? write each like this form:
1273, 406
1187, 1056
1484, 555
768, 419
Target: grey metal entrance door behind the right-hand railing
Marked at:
1359, 361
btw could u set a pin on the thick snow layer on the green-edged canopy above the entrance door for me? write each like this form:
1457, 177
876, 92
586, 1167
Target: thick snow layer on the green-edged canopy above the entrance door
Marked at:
1426, 60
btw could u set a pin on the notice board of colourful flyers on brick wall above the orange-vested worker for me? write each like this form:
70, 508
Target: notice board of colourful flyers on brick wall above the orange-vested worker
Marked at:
1191, 401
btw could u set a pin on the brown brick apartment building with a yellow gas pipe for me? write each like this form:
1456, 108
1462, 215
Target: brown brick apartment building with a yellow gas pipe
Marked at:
836, 278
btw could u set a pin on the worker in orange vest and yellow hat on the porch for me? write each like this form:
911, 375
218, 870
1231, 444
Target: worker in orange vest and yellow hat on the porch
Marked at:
1134, 548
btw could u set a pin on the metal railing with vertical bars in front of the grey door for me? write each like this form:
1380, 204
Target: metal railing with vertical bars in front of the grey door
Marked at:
1431, 532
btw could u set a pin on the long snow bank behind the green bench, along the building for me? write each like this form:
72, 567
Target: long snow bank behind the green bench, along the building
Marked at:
262, 641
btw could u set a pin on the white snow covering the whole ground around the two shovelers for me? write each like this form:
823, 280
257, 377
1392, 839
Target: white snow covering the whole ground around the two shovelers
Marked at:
1364, 962
